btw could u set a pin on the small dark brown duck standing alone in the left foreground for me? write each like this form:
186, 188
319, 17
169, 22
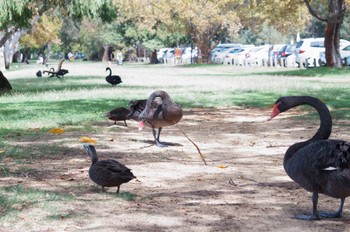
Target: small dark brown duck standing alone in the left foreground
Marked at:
107, 173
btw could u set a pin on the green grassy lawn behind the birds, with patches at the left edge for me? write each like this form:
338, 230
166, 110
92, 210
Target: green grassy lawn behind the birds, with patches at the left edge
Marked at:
80, 101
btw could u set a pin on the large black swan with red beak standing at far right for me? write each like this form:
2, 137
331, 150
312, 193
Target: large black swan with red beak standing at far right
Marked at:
319, 165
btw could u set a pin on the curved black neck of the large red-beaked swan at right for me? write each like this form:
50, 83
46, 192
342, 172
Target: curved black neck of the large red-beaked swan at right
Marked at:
325, 128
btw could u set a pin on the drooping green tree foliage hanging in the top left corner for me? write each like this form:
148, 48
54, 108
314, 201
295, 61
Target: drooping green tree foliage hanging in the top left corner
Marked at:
20, 15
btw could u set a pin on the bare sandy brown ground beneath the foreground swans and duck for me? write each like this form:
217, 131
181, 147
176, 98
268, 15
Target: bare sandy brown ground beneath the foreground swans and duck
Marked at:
243, 187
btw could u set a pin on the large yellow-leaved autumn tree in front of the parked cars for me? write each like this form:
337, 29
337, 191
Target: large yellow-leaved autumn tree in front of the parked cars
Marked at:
209, 21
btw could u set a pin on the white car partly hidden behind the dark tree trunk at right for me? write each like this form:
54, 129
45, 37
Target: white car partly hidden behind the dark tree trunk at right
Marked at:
308, 51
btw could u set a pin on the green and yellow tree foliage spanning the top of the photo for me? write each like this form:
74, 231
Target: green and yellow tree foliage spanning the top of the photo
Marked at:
154, 23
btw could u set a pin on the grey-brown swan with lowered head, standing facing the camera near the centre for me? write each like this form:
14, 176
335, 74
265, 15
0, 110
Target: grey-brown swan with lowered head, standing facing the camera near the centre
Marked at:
159, 111
